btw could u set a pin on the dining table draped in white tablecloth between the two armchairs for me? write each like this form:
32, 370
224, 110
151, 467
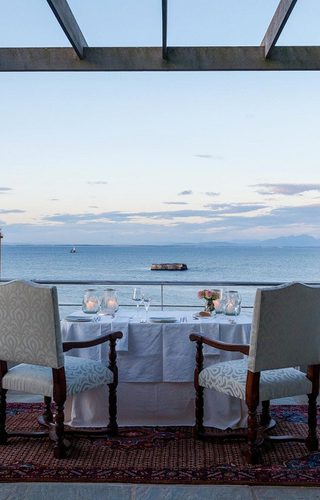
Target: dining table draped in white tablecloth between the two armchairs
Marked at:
156, 362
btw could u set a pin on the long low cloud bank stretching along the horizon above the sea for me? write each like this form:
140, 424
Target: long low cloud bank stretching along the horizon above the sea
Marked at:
226, 221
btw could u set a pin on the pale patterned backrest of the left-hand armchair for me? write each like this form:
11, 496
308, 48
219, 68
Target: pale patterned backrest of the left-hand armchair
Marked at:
30, 324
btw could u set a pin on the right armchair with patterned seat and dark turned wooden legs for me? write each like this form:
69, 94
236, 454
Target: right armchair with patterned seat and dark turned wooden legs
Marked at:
285, 334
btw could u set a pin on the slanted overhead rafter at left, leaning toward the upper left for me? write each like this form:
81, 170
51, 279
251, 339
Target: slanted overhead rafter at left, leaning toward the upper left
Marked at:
68, 23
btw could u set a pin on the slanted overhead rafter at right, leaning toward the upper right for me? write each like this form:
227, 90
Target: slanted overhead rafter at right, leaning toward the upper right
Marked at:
277, 24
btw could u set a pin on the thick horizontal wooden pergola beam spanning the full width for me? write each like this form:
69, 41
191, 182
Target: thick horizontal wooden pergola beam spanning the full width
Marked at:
150, 59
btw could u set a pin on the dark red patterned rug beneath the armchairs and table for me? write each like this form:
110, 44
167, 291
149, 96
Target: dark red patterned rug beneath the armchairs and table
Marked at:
158, 455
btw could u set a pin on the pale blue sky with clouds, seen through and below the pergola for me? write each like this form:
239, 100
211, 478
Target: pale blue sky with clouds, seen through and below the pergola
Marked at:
143, 158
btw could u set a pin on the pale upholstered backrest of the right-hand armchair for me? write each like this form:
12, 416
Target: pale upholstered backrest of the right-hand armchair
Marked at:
285, 328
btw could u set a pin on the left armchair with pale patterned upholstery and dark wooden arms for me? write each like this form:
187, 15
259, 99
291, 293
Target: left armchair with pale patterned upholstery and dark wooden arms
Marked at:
30, 340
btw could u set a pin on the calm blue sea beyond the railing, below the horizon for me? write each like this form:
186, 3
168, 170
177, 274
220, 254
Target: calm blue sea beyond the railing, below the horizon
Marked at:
205, 263
